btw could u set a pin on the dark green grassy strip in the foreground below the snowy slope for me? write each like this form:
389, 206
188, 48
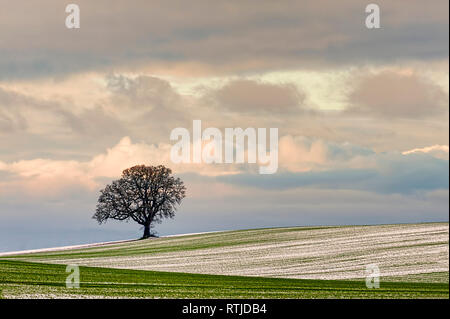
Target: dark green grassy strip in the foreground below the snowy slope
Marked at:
24, 279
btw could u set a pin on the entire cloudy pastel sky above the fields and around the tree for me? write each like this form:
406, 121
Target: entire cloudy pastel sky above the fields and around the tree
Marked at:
362, 113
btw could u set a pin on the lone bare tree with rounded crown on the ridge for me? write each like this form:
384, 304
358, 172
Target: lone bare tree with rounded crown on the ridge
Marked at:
145, 194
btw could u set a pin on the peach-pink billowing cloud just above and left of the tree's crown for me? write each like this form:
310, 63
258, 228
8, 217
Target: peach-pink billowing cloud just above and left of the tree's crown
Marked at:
48, 177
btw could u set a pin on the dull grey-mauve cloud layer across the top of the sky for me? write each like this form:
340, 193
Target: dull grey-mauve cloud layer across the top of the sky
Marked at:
215, 38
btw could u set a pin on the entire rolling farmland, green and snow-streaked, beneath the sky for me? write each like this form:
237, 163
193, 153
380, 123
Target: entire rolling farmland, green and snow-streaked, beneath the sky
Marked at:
294, 262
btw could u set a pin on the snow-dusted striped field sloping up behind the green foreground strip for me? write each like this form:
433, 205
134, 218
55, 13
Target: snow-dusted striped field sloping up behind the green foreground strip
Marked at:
403, 251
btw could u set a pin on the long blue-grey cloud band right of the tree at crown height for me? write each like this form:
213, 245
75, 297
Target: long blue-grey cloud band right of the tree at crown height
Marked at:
393, 175
